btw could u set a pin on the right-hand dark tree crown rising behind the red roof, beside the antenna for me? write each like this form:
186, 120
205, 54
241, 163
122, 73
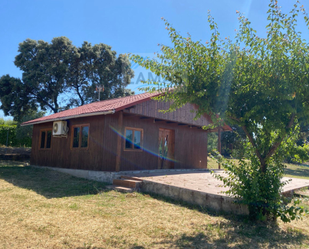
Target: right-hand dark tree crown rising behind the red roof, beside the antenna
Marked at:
98, 65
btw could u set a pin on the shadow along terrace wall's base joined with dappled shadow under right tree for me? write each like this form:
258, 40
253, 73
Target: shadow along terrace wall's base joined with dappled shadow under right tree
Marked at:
234, 232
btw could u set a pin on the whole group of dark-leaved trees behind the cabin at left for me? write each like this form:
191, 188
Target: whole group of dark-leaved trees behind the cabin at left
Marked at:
57, 69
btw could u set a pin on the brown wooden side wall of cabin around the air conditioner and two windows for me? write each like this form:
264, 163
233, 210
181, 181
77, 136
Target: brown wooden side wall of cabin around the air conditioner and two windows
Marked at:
100, 154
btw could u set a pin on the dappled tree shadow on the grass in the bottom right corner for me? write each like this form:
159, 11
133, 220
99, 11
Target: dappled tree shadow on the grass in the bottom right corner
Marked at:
233, 234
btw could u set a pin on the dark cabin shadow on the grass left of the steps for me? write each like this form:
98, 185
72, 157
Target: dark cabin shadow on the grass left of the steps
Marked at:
49, 183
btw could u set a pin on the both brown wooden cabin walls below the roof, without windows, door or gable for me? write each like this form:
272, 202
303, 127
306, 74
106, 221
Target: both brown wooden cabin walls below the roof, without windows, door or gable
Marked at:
190, 145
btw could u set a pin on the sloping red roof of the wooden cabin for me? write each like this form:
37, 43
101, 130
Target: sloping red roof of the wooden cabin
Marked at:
96, 108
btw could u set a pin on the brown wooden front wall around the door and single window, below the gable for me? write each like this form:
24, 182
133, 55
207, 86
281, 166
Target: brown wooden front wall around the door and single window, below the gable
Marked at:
190, 145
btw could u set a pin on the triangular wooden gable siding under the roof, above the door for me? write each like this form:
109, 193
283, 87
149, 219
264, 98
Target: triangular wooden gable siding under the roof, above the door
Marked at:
182, 115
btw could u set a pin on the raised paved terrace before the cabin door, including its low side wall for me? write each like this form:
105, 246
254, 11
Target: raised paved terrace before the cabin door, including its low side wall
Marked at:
199, 187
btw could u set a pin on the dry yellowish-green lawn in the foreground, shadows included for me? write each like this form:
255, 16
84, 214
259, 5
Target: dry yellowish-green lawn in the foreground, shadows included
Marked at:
40, 208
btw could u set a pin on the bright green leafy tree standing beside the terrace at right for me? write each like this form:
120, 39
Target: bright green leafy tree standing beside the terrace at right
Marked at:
259, 84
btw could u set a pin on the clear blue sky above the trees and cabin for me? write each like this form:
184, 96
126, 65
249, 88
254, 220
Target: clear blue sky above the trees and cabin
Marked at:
127, 26
